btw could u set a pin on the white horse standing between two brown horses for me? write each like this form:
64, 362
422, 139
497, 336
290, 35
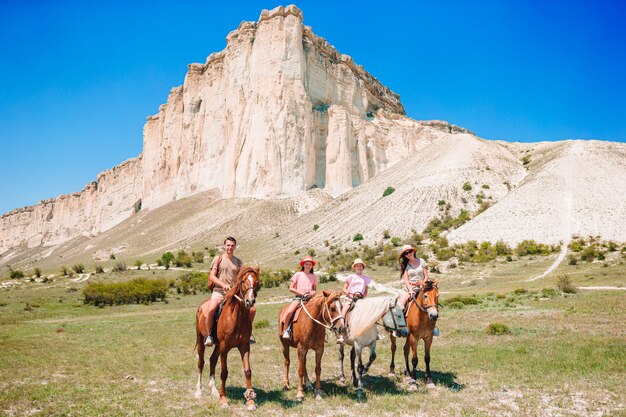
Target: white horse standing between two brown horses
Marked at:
362, 332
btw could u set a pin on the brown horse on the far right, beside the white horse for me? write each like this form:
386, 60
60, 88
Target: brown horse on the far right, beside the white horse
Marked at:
421, 318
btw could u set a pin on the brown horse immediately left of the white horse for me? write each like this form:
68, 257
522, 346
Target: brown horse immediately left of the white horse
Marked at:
322, 312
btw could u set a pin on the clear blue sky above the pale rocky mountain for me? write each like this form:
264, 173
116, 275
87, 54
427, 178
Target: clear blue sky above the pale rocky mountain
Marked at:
78, 78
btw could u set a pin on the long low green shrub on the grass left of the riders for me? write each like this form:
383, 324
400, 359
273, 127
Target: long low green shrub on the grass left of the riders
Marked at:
136, 291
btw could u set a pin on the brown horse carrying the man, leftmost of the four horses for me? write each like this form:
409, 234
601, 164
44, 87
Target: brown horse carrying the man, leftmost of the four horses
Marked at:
233, 330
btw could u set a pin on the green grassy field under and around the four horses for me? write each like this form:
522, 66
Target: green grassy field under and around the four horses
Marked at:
565, 353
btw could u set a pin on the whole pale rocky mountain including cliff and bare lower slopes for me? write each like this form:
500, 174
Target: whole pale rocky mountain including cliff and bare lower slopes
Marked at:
278, 132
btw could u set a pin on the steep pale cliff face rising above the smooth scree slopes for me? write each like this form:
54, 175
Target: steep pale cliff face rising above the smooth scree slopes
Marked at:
277, 112
